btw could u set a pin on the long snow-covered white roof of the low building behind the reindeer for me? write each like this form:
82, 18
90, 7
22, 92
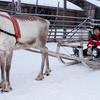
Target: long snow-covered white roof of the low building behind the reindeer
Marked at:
50, 3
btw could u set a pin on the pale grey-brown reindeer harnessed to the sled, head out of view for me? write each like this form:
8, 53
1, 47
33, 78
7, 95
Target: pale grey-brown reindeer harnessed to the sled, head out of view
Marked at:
34, 31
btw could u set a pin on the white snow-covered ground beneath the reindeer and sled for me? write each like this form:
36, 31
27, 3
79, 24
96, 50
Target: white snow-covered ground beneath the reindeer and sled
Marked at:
75, 82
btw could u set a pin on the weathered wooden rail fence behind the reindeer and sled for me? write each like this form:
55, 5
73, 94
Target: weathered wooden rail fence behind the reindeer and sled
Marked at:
72, 28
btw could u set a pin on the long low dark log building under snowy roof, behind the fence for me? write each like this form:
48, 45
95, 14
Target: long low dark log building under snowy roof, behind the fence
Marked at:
40, 9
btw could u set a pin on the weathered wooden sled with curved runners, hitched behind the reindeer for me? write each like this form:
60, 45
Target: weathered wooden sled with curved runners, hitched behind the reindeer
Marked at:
88, 61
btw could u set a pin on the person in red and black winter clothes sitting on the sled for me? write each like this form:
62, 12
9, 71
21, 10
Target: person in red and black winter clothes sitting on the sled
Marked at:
93, 46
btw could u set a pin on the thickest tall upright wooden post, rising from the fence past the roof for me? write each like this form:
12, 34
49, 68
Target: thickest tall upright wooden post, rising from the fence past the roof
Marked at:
64, 19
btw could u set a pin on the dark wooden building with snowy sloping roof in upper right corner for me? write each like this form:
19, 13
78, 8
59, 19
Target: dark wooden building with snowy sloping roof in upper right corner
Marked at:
91, 7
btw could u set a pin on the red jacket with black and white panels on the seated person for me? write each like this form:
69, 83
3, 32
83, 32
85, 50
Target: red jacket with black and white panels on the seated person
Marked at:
94, 41
